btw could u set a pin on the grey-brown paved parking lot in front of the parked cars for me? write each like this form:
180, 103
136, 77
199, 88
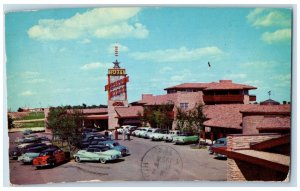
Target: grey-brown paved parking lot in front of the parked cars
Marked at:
196, 164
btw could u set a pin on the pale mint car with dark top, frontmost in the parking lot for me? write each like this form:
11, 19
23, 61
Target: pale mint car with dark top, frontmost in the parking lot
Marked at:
99, 153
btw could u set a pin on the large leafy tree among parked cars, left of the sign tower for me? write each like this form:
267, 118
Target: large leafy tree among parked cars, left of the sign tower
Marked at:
65, 124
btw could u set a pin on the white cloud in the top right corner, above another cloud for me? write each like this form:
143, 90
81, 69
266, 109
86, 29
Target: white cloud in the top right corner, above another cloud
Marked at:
269, 17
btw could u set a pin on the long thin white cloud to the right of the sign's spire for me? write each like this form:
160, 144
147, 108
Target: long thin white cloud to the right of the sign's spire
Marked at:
178, 55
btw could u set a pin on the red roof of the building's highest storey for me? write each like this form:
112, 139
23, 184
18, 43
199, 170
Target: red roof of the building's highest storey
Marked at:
221, 85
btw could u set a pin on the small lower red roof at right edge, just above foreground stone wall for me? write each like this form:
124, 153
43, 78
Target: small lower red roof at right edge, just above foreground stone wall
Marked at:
275, 123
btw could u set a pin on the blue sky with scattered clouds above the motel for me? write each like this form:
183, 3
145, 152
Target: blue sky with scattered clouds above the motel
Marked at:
61, 56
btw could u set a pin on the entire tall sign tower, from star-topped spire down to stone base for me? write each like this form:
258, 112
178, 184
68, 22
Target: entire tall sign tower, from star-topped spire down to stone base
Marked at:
117, 90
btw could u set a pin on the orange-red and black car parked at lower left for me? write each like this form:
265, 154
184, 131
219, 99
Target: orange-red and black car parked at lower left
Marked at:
50, 157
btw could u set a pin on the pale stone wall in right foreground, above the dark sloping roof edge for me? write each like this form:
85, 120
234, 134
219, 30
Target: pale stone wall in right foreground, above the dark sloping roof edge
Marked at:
241, 141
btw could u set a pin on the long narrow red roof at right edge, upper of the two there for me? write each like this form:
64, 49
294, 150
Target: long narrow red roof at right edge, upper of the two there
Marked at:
268, 109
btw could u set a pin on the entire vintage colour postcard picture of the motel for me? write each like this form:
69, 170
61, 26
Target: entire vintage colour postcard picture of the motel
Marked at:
106, 94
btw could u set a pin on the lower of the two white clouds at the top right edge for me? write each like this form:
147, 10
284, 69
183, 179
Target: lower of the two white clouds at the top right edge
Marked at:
282, 35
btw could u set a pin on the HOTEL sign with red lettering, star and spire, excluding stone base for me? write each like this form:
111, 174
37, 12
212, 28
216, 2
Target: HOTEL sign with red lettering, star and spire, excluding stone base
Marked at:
117, 80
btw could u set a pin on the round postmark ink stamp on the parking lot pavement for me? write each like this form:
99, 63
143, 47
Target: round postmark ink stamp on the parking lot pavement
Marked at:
161, 163
